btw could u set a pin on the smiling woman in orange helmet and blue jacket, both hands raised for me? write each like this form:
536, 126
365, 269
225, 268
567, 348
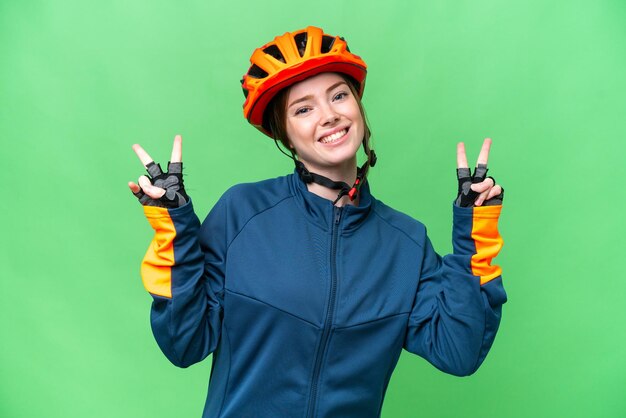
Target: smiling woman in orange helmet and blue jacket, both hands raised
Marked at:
305, 288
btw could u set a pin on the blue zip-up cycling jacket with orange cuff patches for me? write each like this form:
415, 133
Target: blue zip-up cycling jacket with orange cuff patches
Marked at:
306, 306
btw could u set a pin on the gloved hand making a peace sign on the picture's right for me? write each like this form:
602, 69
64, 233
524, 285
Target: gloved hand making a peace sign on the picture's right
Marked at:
476, 189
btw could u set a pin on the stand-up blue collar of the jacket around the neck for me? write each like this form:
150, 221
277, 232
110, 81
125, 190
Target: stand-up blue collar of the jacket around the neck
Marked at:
321, 211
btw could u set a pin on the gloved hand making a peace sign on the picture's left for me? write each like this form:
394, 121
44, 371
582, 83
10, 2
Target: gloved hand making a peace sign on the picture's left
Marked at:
161, 189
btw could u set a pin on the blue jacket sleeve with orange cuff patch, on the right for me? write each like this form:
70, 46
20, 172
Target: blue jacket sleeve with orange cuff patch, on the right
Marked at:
458, 304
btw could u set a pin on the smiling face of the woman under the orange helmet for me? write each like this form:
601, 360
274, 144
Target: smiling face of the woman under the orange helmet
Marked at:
324, 123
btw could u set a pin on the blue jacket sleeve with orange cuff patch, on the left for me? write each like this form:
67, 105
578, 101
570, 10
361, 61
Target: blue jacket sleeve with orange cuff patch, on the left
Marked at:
183, 270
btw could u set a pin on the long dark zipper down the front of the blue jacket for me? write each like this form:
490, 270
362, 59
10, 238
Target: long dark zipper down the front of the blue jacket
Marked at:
329, 313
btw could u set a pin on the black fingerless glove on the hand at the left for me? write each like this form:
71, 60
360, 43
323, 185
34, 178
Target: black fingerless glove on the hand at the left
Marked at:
172, 181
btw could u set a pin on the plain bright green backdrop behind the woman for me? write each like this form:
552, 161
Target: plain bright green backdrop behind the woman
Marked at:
80, 81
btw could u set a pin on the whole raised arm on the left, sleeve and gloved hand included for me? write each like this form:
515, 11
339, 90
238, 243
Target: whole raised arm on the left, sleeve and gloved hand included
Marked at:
186, 308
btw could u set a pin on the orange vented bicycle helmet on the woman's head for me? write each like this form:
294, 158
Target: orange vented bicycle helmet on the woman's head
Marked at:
291, 58
